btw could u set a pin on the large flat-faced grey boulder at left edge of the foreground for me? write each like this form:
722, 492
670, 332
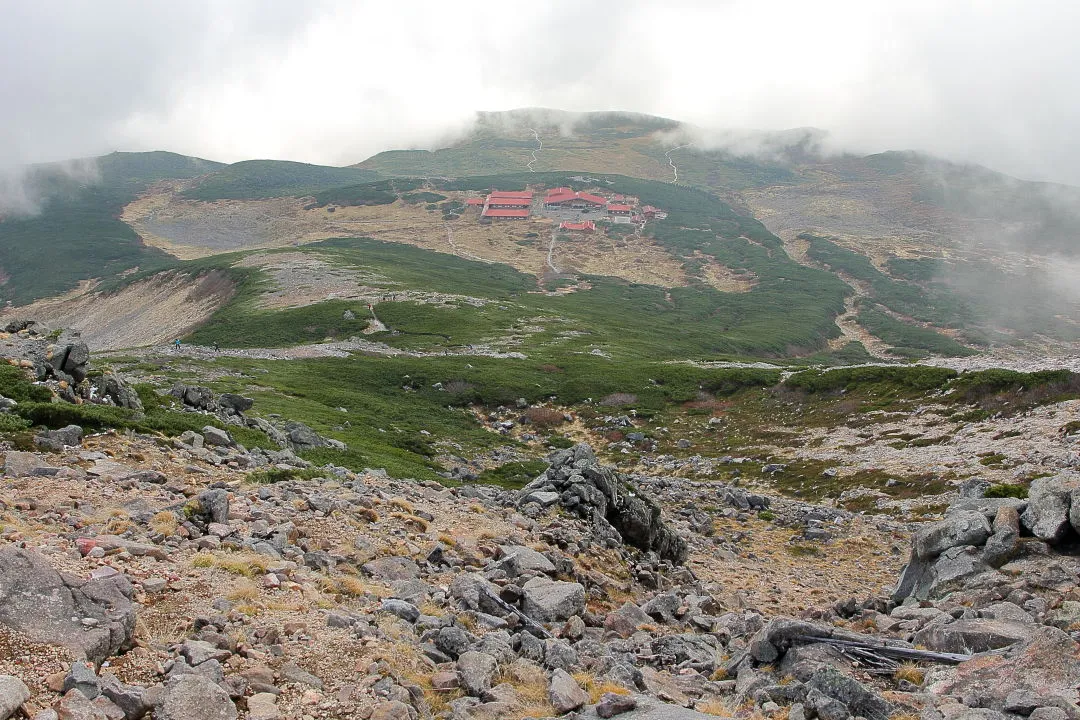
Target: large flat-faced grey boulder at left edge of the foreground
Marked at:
94, 619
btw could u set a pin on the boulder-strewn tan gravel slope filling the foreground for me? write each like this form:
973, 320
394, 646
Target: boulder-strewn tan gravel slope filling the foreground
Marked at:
191, 578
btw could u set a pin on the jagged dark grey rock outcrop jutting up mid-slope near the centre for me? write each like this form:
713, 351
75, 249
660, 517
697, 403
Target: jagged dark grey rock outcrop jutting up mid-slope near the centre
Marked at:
616, 510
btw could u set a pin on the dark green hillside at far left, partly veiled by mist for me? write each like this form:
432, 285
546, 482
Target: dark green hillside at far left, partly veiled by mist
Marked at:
76, 233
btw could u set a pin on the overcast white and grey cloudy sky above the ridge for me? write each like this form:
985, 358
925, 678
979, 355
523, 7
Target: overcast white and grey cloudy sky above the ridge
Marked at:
335, 81
